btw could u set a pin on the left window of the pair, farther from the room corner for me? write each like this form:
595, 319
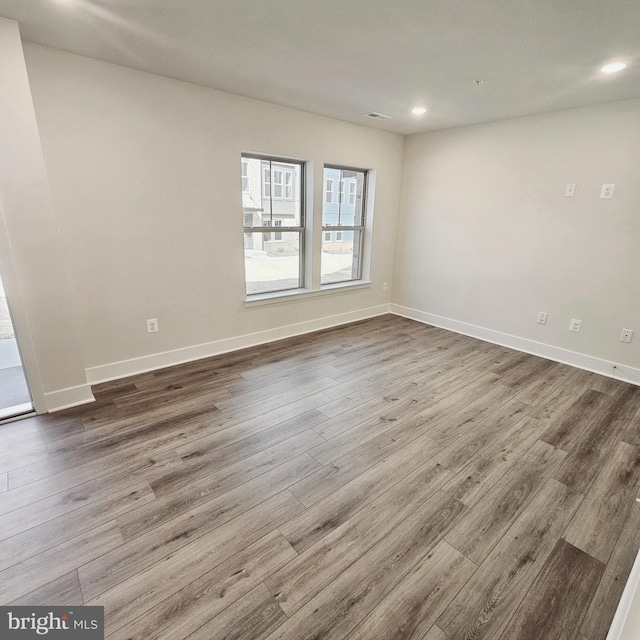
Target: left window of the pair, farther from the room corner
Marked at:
273, 200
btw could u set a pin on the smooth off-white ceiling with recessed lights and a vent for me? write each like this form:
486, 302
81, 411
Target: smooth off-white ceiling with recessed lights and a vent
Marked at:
345, 58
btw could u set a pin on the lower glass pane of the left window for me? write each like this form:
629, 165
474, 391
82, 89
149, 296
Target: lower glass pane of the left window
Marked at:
272, 265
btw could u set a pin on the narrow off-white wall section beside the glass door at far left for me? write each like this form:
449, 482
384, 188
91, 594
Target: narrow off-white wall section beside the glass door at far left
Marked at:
31, 255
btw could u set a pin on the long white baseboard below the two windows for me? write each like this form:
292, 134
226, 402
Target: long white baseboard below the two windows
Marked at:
124, 368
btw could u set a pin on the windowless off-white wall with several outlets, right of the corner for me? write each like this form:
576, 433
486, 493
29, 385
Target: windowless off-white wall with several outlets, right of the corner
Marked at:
487, 239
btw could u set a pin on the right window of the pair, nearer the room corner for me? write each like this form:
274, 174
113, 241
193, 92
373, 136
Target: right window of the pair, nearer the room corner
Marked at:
342, 259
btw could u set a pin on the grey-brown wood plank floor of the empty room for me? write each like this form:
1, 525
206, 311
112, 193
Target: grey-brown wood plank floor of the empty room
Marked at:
377, 481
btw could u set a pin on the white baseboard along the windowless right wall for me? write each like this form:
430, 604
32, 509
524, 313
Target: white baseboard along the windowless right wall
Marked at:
557, 354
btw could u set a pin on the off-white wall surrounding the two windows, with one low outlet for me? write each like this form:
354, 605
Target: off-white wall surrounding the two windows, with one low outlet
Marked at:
145, 177
